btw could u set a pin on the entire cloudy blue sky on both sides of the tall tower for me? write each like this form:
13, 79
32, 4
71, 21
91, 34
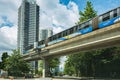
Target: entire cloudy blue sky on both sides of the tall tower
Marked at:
56, 14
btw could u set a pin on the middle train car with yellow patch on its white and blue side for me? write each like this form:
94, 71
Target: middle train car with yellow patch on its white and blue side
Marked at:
82, 28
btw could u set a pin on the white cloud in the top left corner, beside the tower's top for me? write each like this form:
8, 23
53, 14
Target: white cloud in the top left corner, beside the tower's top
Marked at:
9, 8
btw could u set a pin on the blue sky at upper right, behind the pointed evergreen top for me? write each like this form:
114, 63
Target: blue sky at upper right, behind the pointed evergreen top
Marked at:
100, 6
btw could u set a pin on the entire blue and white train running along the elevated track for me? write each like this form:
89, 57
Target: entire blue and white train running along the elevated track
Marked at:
104, 20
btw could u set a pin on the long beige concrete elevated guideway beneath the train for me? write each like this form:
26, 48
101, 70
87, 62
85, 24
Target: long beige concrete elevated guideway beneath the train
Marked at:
100, 38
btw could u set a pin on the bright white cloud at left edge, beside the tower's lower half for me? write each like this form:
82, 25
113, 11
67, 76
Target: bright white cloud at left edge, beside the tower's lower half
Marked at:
8, 37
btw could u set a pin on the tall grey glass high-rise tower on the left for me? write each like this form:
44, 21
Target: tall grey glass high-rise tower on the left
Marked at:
28, 25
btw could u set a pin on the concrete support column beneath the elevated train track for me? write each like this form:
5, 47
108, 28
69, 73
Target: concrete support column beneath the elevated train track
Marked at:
46, 72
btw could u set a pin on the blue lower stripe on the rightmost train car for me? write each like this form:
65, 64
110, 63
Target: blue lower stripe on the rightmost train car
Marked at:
108, 23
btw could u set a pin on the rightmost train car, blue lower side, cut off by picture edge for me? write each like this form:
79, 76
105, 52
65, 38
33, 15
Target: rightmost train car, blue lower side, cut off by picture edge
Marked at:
109, 18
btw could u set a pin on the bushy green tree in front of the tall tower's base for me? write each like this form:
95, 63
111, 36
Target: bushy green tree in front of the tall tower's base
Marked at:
15, 65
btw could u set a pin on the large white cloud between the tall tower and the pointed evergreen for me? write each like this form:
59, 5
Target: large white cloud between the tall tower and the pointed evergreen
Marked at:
54, 13
